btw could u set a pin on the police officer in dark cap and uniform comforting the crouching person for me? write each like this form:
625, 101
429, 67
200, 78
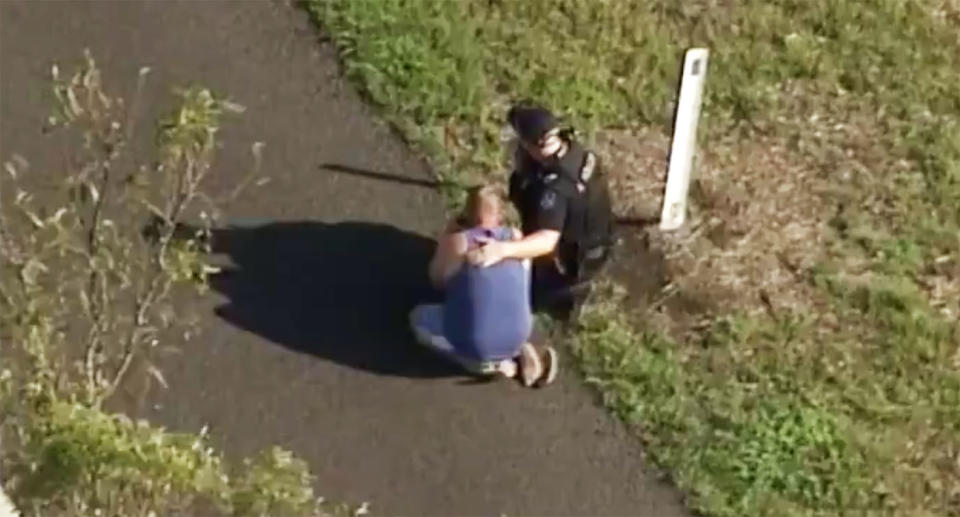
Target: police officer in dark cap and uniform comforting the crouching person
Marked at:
561, 194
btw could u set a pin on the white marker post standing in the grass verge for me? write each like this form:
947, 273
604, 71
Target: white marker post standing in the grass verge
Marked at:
684, 139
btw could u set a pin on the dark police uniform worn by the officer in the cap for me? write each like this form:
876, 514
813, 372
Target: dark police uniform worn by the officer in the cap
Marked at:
559, 195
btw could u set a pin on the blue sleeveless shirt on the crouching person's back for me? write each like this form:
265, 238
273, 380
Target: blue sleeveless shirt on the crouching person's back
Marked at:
487, 313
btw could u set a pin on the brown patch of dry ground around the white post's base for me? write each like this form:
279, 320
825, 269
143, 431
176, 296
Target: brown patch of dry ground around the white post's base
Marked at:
756, 223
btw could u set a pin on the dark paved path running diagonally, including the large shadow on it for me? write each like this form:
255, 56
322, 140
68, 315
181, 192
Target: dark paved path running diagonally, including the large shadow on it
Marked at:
306, 344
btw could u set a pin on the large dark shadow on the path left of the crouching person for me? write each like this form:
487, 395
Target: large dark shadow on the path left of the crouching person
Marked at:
341, 292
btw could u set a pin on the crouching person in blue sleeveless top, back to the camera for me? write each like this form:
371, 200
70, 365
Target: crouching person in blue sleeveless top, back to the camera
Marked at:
486, 320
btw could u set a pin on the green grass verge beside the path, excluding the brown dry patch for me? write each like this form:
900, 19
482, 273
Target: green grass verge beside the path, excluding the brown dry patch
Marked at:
848, 406
